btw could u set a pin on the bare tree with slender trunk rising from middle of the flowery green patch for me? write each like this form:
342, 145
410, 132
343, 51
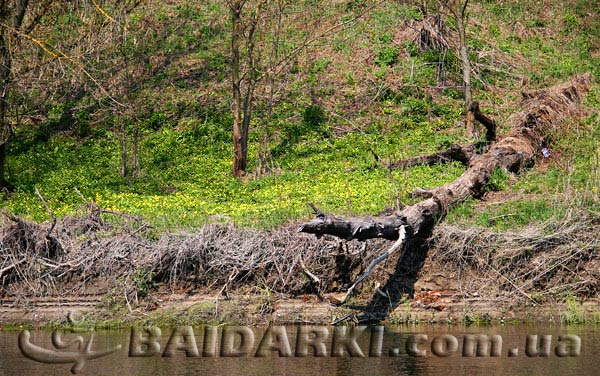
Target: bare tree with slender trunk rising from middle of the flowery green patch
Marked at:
256, 55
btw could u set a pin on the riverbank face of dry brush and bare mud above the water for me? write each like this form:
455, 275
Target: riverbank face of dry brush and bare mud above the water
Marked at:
115, 270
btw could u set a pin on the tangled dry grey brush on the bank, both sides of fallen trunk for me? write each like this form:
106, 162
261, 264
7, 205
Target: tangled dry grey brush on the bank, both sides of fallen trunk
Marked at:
97, 252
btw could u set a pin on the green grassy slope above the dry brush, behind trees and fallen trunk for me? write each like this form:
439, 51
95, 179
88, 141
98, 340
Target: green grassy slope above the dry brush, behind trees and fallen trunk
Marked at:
362, 91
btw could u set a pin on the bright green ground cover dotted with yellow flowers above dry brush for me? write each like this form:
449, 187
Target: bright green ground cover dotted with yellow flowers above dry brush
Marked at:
183, 181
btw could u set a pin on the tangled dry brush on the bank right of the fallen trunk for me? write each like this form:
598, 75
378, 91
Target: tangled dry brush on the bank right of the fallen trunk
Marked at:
543, 261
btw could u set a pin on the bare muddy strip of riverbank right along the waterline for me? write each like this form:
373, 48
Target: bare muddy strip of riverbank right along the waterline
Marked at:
170, 310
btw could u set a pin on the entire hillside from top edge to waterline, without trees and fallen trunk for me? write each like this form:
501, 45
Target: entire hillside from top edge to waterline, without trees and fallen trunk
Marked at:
368, 92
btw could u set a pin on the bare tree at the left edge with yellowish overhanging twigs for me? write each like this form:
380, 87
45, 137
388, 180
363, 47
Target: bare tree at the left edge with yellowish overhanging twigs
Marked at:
19, 20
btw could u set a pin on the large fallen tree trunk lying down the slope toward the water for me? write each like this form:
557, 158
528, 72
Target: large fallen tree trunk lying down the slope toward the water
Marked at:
544, 112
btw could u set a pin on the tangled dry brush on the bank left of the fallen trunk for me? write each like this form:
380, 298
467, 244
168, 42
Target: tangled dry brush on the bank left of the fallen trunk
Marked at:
98, 250
